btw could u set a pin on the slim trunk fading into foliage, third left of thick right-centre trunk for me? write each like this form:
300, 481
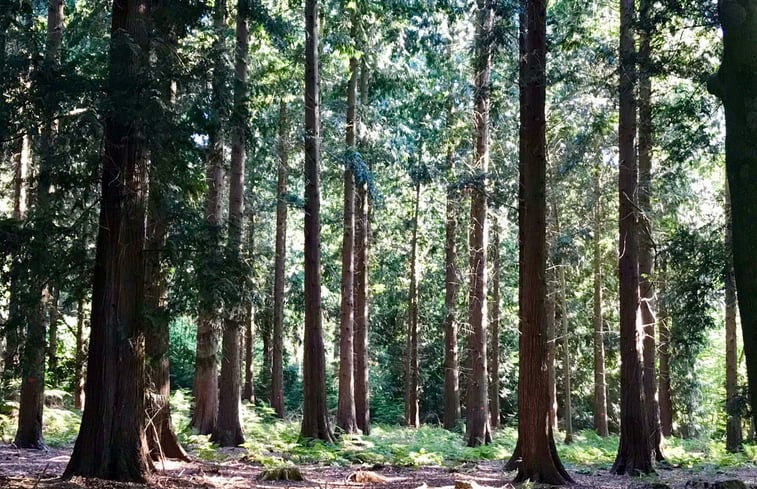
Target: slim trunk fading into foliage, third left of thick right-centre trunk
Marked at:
452, 286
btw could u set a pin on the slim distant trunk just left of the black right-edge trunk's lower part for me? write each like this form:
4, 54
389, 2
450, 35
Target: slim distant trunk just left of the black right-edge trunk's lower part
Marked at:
734, 437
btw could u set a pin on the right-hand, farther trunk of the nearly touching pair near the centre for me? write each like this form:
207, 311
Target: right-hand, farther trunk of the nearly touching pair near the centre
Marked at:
362, 240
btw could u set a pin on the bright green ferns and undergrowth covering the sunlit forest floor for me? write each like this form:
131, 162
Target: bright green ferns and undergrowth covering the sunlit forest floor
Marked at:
274, 443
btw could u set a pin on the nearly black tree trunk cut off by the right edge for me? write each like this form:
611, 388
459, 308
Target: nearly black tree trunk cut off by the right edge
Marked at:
735, 83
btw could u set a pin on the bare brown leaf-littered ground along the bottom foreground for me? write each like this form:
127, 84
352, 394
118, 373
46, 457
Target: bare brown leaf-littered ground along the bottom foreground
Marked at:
28, 469
